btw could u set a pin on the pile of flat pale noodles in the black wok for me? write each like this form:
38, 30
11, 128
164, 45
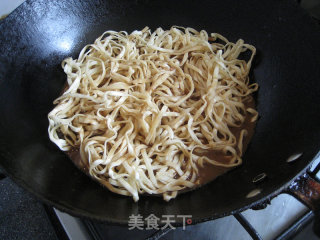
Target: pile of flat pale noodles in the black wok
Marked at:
143, 107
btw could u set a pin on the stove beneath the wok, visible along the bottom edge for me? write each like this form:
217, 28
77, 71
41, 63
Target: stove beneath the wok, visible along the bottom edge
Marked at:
22, 215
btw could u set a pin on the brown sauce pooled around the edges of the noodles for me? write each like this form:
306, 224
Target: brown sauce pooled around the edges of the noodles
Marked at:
208, 172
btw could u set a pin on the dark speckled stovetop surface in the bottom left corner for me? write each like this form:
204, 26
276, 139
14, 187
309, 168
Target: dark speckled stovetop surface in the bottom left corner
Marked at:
21, 215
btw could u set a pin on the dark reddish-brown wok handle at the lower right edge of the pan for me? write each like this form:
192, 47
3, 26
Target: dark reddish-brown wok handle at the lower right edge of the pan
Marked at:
306, 189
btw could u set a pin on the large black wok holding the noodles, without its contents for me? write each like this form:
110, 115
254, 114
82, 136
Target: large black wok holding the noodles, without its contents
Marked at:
39, 34
